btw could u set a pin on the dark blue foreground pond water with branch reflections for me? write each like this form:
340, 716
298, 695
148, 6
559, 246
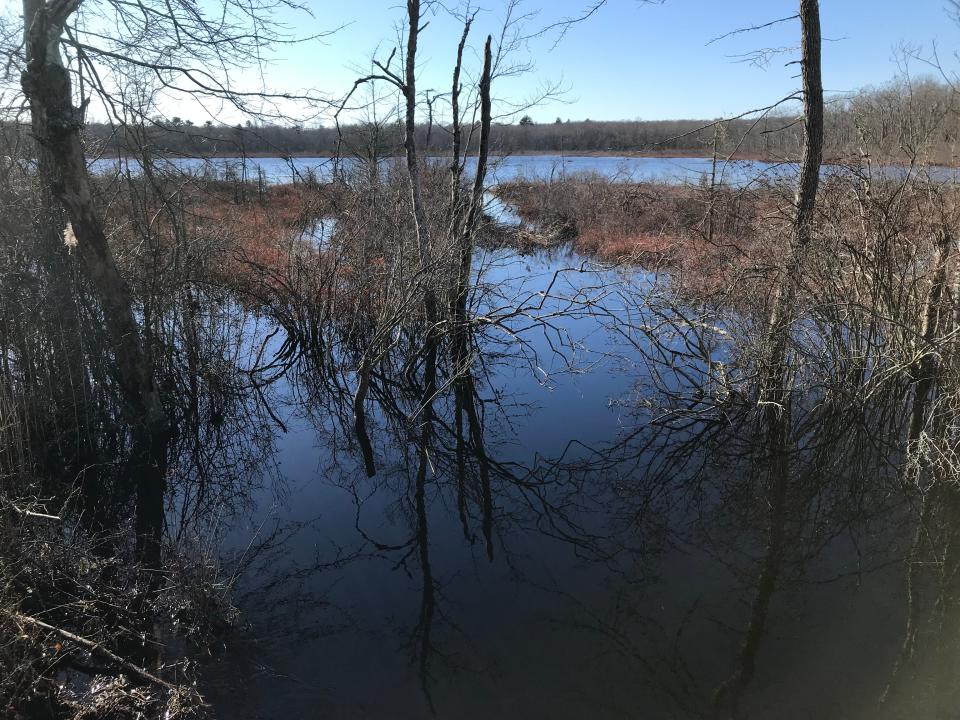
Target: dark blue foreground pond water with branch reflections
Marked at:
566, 512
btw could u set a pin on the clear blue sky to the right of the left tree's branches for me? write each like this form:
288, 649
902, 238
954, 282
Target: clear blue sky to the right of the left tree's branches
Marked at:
635, 60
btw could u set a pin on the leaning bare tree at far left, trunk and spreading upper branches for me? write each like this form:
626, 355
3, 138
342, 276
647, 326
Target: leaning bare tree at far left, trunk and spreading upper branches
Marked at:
184, 51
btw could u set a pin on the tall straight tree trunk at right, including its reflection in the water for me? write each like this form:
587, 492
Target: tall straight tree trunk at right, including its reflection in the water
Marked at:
775, 388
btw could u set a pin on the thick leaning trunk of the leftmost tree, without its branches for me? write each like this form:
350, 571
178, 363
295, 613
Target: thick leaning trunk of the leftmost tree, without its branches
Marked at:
56, 127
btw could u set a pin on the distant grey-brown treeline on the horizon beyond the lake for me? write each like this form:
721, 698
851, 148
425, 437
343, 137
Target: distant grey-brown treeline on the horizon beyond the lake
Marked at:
900, 119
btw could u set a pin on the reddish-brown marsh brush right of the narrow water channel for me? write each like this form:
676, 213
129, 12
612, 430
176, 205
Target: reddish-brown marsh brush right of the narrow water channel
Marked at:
749, 235
